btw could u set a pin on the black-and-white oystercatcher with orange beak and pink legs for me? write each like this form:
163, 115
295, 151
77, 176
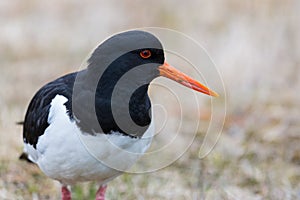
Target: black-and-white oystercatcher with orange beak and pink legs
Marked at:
95, 123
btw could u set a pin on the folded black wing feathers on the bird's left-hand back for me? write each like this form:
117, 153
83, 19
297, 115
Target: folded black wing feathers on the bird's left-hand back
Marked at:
36, 118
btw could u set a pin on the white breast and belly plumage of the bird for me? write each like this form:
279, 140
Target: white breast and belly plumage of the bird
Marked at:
65, 154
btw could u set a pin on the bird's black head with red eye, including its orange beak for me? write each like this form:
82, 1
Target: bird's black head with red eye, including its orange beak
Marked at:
143, 52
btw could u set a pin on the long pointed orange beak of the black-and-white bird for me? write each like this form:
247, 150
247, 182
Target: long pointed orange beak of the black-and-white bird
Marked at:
170, 72
